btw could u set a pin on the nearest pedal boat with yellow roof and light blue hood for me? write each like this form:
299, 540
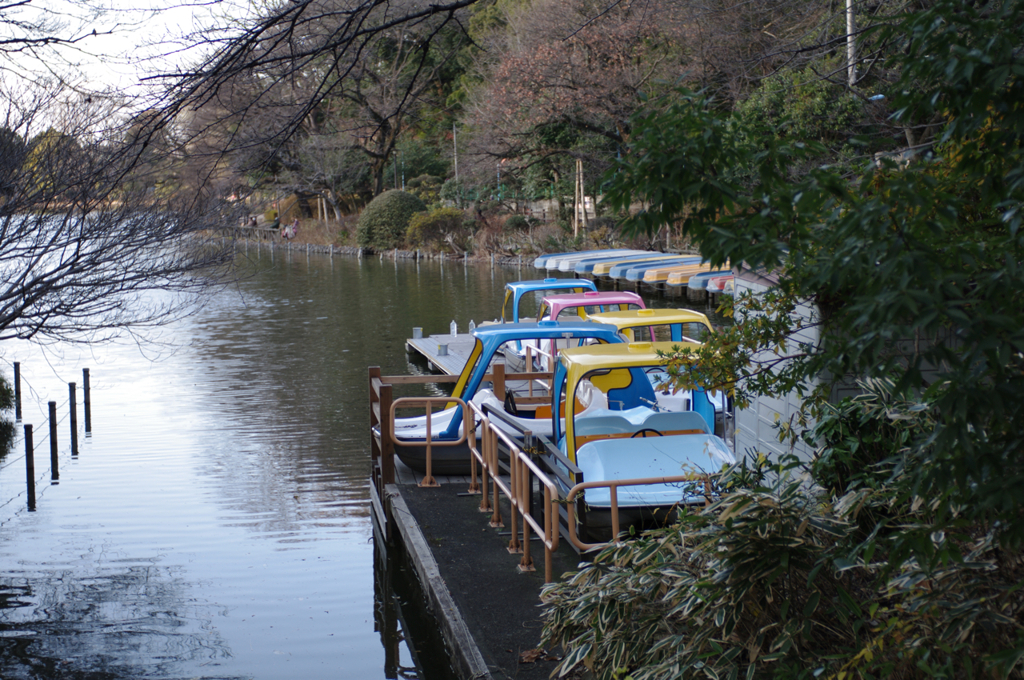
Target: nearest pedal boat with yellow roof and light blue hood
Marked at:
629, 440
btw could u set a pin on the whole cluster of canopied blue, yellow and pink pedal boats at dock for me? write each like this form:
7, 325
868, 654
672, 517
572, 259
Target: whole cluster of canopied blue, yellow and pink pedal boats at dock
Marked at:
598, 389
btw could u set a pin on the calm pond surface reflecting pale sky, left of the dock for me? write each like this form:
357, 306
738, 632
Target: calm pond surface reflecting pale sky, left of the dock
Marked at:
216, 524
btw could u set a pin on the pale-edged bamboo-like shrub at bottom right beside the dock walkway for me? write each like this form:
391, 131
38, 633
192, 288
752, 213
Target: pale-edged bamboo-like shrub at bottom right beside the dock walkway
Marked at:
761, 584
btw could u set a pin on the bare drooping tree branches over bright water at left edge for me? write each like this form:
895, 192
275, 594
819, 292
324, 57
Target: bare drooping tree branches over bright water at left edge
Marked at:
90, 246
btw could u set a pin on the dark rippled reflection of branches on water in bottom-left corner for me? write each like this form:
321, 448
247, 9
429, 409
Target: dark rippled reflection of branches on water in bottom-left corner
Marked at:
131, 623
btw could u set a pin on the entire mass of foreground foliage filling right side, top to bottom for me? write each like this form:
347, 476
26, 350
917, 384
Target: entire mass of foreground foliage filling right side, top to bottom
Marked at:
909, 279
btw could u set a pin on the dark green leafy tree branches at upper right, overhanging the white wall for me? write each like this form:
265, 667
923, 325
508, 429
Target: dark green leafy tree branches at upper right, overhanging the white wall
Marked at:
914, 273
